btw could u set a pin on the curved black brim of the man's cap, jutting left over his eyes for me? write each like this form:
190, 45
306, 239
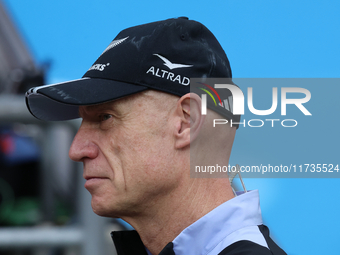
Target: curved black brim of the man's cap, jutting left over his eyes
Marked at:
61, 101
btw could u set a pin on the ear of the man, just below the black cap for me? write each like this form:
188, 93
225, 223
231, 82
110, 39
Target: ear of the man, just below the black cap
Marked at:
190, 119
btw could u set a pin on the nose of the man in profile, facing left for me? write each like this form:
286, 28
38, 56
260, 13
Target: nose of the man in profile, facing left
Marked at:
83, 146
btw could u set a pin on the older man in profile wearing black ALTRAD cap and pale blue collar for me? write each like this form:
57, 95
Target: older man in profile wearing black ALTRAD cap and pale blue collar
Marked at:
142, 130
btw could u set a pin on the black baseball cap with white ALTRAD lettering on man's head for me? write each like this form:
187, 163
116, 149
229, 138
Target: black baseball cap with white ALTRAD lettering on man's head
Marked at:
162, 55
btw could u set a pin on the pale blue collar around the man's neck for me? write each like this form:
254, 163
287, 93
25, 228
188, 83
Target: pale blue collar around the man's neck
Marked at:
207, 233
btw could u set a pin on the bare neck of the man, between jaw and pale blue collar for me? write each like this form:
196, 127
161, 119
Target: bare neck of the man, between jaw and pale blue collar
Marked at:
169, 216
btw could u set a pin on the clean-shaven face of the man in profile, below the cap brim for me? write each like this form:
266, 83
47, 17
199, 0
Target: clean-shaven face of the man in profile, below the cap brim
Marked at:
127, 149
